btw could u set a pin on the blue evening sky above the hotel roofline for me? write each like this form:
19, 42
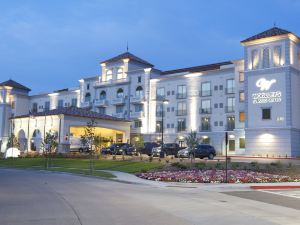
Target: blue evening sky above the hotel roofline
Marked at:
50, 45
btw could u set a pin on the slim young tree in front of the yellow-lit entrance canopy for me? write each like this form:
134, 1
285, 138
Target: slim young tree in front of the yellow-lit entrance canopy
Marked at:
88, 138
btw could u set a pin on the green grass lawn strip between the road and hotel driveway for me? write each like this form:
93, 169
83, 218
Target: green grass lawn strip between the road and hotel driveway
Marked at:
81, 166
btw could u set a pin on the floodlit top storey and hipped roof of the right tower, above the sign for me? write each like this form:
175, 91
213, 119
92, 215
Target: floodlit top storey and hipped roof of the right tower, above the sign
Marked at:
272, 48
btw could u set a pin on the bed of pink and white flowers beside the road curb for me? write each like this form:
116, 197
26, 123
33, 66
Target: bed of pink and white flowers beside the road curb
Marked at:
216, 176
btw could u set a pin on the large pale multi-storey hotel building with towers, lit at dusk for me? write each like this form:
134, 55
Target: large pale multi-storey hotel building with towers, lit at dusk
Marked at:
254, 99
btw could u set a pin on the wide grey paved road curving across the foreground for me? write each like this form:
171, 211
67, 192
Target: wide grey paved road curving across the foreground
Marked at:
33, 197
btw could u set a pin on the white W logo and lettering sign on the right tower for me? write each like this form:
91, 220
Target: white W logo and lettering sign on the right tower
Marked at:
266, 96
